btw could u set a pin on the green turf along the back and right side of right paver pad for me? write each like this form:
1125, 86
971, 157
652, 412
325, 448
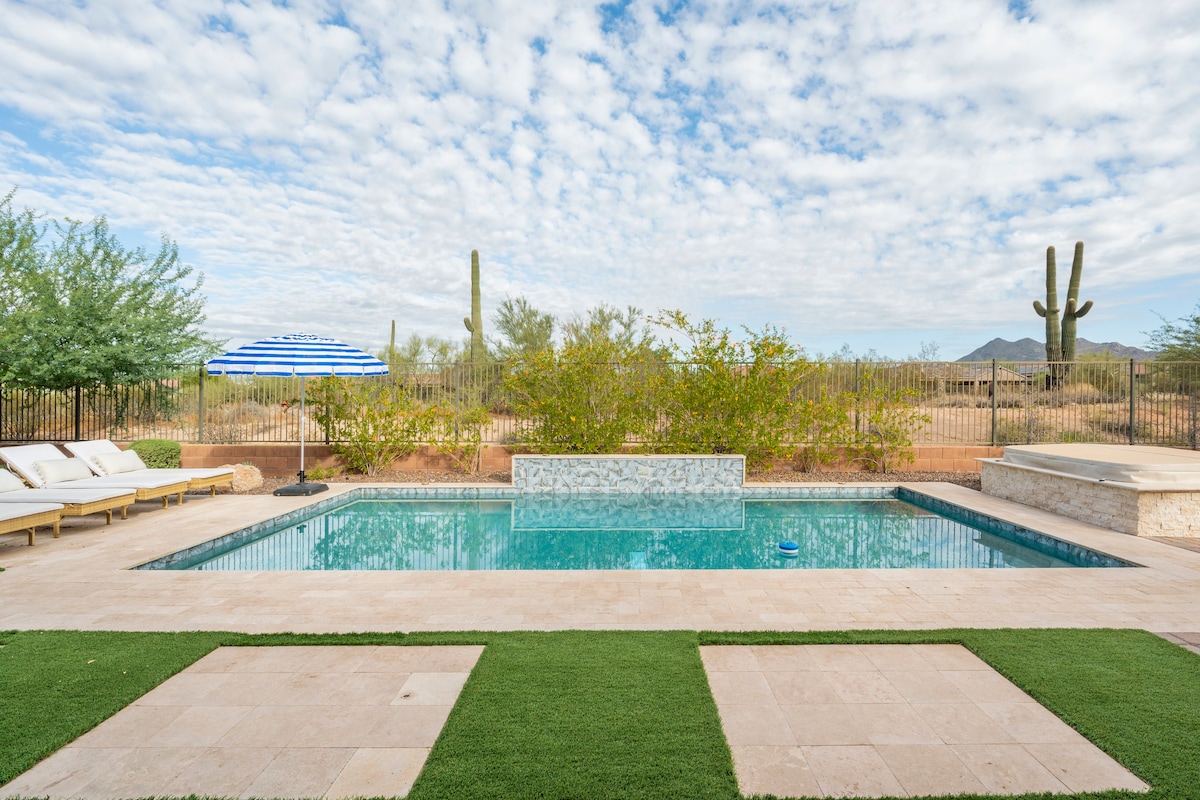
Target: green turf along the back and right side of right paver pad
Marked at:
1132, 694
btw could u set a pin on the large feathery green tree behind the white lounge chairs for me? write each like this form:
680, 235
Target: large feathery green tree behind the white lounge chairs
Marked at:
81, 310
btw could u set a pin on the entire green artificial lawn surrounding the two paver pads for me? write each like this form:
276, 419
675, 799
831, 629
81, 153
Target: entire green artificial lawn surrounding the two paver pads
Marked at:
622, 714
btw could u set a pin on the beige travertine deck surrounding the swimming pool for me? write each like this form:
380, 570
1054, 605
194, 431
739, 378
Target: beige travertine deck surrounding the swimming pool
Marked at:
83, 581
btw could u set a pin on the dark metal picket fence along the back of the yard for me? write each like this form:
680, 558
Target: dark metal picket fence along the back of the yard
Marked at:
985, 404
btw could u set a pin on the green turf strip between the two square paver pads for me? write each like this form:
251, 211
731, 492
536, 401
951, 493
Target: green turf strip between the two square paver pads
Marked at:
584, 715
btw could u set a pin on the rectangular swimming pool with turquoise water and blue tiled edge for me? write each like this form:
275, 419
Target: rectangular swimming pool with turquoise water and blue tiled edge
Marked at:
879, 528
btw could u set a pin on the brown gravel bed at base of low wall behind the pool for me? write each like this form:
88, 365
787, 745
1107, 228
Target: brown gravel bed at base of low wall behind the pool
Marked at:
970, 480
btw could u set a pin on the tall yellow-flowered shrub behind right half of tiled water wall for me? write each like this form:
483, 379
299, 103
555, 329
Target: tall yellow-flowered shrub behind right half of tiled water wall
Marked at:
725, 396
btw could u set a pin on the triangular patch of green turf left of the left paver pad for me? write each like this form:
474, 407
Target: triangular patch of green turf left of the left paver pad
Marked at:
57, 685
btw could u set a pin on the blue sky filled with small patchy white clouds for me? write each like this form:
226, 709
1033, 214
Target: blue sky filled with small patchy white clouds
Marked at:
883, 176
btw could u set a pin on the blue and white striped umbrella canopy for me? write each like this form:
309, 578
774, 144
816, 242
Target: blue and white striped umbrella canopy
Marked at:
299, 356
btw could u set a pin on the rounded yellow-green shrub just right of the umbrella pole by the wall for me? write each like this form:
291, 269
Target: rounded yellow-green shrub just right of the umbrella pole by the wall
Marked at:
370, 424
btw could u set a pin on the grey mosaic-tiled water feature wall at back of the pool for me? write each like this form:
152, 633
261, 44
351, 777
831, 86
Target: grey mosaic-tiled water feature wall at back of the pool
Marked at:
628, 474
